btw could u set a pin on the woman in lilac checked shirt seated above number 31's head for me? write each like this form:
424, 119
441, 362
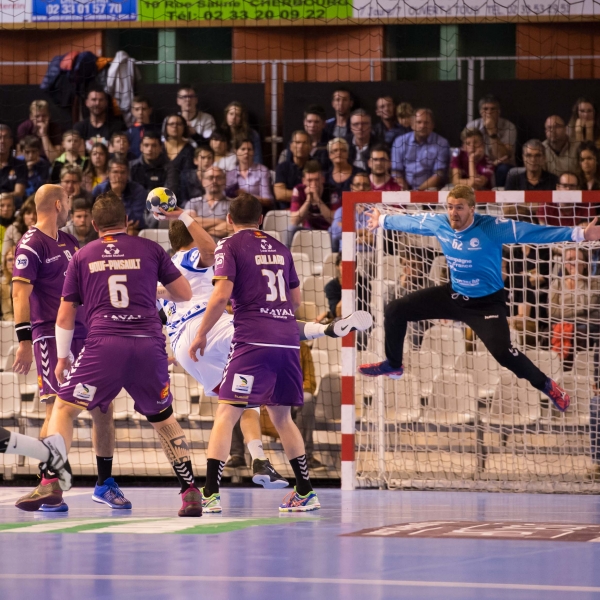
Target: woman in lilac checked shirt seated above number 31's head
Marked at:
250, 177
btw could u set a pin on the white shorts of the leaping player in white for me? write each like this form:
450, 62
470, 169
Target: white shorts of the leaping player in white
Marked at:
208, 371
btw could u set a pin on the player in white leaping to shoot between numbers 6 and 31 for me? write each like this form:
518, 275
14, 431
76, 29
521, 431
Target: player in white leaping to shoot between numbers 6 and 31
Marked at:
194, 257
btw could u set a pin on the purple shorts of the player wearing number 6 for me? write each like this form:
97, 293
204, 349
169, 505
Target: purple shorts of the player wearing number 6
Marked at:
108, 364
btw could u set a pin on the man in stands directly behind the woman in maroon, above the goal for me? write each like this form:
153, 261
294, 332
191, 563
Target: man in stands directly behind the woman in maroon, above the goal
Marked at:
499, 135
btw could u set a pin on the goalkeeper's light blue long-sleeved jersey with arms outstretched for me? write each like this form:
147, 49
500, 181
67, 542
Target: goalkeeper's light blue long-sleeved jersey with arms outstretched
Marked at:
474, 255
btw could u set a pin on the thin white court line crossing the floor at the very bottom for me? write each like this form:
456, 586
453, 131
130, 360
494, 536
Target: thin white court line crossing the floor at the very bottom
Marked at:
305, 580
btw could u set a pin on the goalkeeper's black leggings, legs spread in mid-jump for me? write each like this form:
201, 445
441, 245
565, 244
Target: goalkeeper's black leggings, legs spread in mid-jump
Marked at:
486, 316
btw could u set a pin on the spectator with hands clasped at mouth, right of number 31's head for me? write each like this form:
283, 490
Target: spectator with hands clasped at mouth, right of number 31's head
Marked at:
311, 206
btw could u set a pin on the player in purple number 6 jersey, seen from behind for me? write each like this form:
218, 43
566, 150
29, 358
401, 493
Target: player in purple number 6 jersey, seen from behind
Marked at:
115, 278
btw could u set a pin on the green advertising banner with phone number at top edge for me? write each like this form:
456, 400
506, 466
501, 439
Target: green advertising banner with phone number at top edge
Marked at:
236, 10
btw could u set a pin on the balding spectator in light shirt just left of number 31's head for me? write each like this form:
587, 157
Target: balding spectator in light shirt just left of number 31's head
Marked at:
211, 209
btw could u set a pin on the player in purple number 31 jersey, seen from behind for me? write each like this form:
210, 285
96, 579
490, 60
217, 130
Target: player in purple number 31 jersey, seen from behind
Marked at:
257, 273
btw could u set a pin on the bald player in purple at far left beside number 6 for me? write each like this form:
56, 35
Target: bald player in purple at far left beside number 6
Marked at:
41, 260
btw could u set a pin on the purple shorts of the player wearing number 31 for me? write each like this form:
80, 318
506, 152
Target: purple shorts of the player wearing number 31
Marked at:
262, 375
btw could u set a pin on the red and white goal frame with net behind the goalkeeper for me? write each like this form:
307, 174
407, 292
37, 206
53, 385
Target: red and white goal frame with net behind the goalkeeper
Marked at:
457, 420
